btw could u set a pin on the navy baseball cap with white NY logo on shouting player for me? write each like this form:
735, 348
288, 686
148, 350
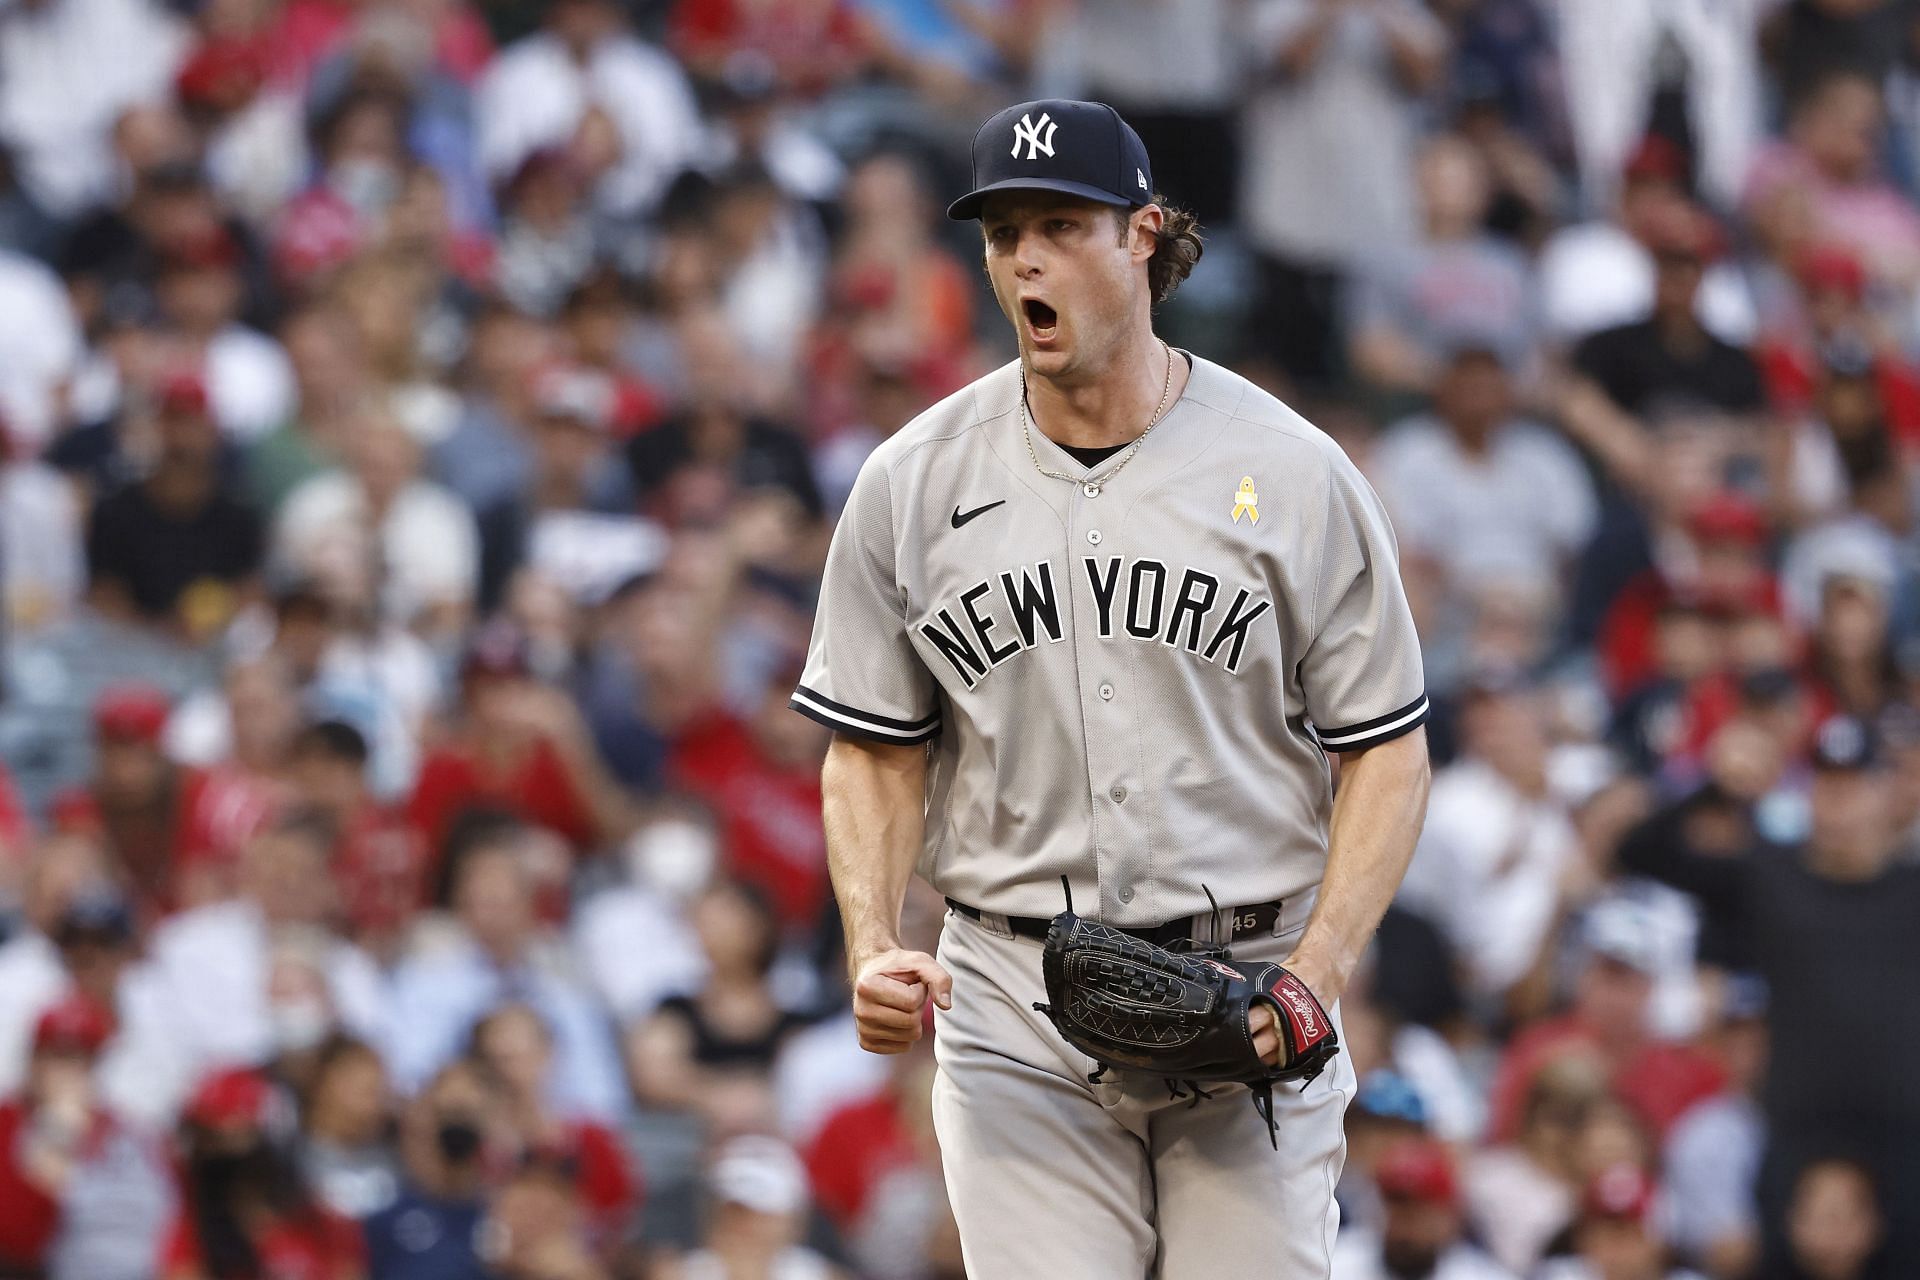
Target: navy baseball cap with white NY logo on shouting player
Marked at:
1059, 145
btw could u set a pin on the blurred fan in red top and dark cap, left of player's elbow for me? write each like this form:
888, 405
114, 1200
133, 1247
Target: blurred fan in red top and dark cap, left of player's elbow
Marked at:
519, 747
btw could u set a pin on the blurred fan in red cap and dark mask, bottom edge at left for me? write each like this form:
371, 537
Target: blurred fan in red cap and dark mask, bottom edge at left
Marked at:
247, 1212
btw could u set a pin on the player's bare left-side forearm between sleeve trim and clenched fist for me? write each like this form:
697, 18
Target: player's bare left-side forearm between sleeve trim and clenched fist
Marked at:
873, 805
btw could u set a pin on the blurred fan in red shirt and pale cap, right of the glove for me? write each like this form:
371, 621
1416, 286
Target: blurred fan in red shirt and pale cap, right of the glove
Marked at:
1658, 1079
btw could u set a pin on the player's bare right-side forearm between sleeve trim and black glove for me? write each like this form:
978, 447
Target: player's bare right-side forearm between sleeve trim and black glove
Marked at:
1378, 818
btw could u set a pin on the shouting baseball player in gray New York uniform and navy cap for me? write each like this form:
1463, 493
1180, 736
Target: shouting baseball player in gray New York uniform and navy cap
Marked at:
1088, 632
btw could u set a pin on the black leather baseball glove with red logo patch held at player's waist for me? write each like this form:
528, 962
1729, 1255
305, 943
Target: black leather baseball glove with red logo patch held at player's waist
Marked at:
1178, 1012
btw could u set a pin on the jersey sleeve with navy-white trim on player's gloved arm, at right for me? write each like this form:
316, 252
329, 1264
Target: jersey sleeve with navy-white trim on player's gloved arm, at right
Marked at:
1362, 669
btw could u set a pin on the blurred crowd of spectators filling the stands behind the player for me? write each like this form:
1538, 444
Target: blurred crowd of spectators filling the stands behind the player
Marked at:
423, 423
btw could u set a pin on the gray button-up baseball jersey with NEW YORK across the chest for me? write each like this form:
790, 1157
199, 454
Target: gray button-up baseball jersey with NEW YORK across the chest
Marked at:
1126, 684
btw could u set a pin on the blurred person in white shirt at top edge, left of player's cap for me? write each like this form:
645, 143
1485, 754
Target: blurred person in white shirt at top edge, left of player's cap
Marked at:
539, 91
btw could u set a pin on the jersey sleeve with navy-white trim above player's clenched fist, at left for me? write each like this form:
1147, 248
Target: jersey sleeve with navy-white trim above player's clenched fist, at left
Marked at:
863, 675
